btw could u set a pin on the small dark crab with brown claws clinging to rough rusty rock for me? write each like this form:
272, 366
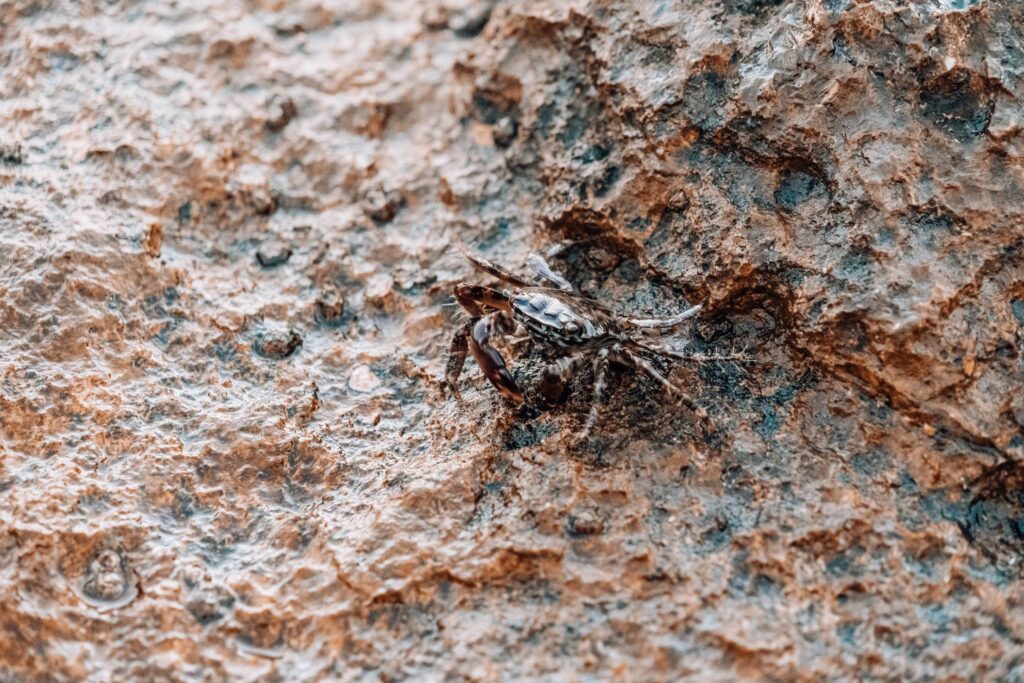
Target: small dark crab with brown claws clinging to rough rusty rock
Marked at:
572, 327
